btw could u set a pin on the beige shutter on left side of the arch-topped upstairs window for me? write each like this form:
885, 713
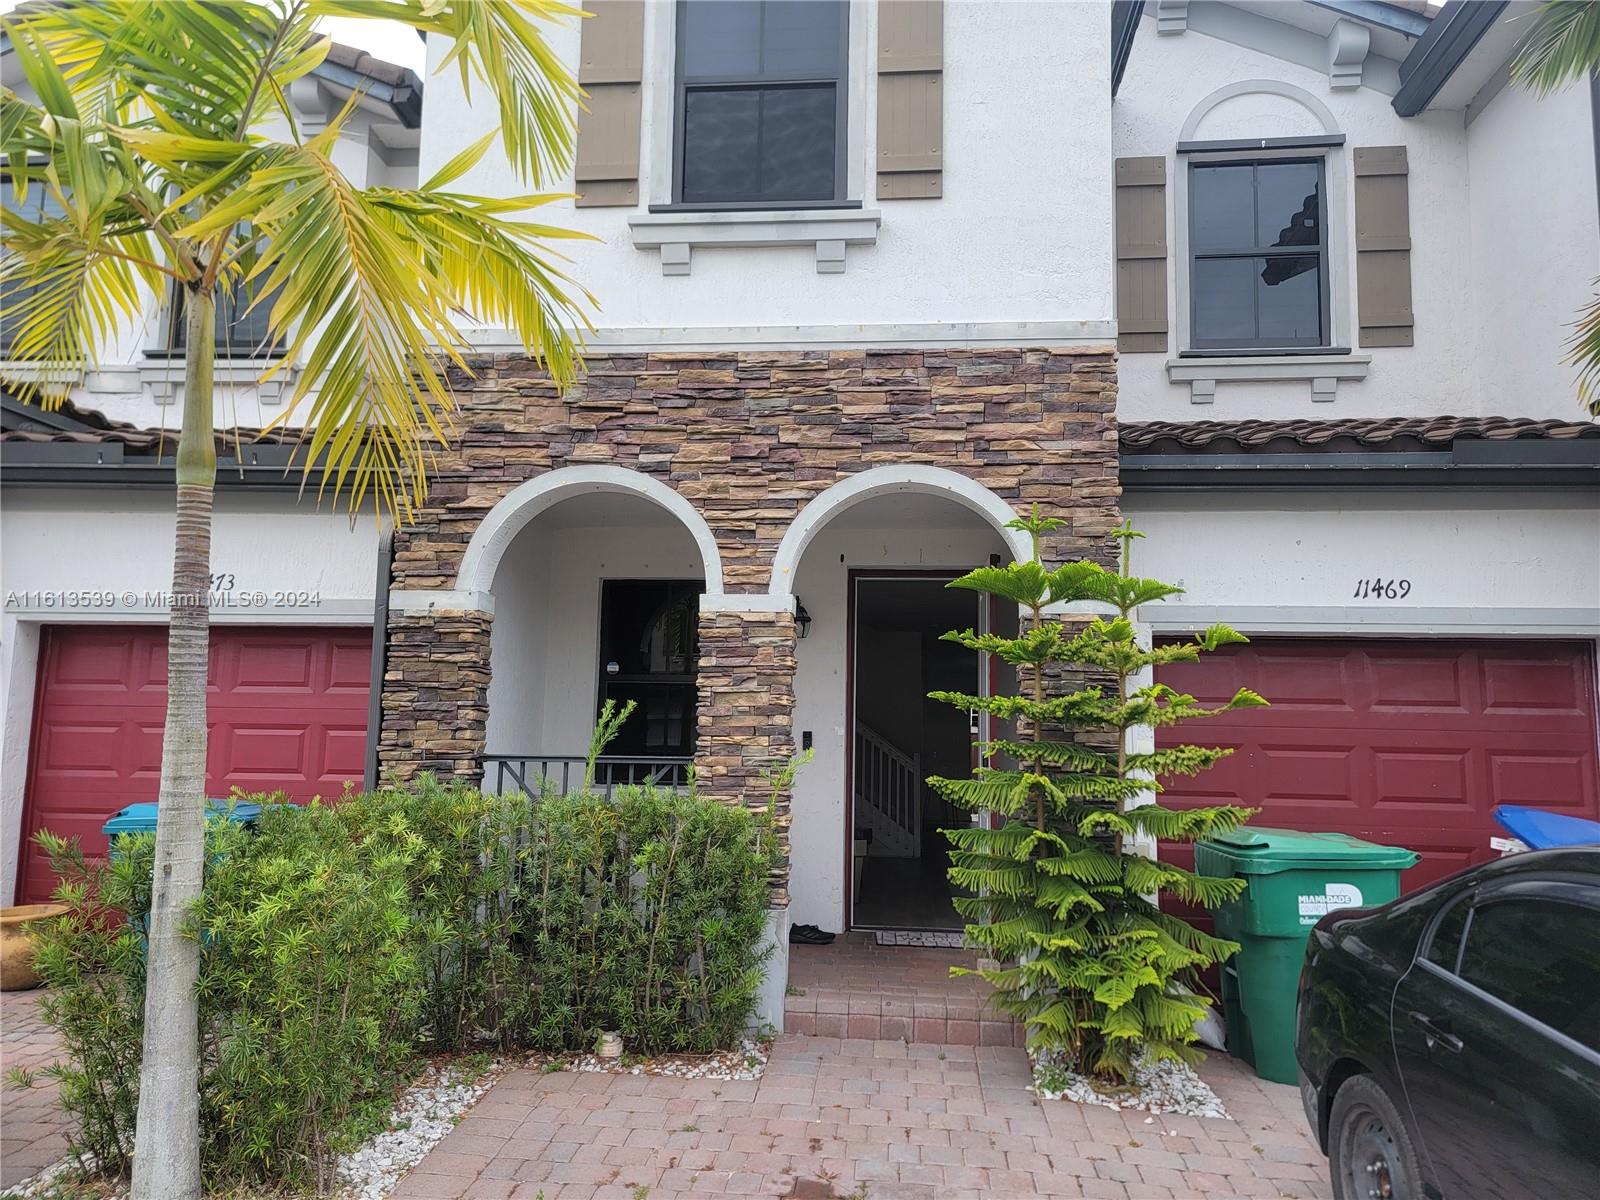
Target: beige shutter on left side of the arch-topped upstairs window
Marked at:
1142, 255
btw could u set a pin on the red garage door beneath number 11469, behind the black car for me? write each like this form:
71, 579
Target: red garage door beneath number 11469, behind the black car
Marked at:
1404, 743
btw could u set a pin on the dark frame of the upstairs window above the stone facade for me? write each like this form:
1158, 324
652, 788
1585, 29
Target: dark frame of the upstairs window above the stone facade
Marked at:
682, 86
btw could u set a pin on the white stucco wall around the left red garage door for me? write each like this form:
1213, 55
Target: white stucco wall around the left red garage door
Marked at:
110, 545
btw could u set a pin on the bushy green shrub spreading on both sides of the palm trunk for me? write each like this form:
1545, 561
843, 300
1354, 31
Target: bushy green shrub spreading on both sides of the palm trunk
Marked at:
311, 985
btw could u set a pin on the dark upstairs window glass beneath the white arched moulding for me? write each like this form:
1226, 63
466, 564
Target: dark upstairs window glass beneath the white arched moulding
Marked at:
1260, 255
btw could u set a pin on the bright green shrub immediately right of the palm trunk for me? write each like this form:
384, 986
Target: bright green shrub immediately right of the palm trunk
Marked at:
311, 990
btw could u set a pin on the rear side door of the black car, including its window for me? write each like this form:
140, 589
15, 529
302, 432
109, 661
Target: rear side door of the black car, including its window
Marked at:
1497, 1033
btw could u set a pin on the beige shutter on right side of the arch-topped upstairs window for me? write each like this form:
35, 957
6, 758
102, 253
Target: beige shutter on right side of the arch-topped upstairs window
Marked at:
1383, 247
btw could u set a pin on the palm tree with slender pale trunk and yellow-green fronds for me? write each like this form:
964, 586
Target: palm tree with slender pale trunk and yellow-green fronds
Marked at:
166, 138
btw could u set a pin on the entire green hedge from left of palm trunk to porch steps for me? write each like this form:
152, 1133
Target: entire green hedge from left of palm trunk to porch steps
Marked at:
340, 942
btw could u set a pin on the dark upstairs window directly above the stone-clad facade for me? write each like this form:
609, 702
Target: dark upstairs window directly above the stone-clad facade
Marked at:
761, 106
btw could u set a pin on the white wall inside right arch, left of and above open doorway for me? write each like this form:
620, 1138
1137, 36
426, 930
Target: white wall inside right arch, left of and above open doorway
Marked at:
950, 540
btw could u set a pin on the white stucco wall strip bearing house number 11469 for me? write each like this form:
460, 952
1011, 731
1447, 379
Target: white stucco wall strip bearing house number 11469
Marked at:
1478, 561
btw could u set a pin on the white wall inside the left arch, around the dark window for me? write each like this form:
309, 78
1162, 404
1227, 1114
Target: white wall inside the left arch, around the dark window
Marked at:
545, 650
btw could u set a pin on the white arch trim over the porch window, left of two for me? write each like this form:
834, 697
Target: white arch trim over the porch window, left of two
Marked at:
529, 500
